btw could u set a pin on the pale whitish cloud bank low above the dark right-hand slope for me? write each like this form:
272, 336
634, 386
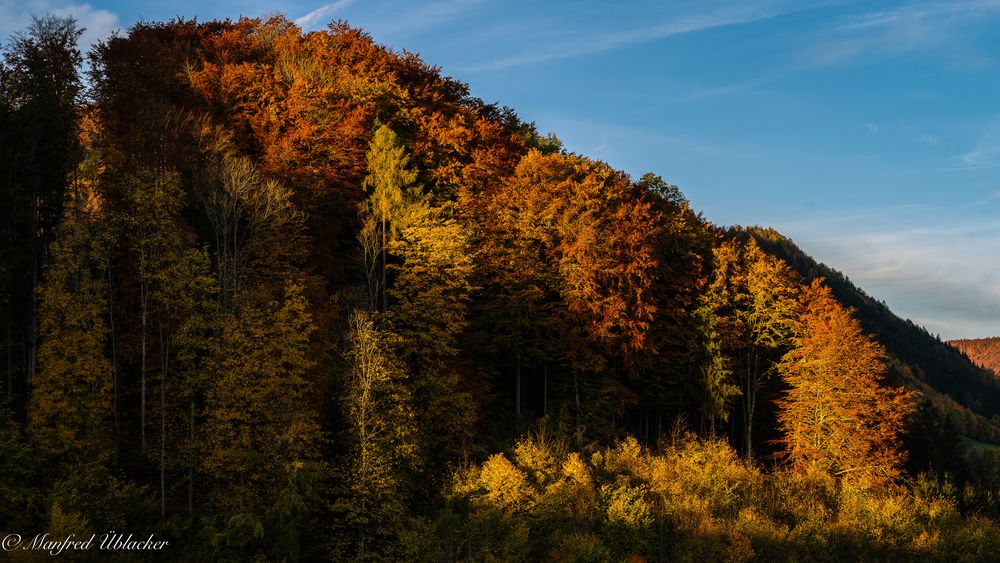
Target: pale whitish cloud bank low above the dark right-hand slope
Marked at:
938, 274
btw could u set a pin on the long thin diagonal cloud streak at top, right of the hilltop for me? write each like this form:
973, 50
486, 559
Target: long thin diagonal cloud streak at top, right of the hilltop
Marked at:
587, 44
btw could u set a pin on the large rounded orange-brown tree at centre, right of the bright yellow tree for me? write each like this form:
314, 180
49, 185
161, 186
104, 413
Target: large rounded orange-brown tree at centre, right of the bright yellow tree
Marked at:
569, 259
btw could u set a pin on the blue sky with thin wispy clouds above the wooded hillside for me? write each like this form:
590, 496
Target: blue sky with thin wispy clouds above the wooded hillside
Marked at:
867, 131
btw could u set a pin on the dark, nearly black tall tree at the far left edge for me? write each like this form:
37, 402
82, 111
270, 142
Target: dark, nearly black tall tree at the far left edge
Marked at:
41, 89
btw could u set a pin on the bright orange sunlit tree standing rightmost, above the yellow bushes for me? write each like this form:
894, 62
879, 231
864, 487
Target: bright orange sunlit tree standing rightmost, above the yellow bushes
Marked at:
838, 415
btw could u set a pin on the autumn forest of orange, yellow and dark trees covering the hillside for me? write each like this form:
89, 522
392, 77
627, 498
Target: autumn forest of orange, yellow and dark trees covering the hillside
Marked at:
283, 296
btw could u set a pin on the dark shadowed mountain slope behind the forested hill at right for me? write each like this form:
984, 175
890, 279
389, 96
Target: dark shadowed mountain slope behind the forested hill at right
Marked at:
959, 398
